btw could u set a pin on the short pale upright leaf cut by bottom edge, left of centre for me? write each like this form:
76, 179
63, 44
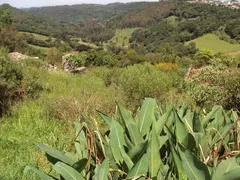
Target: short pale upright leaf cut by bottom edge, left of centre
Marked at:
101, 171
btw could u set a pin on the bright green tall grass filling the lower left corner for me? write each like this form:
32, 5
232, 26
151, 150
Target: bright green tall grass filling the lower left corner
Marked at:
27, 125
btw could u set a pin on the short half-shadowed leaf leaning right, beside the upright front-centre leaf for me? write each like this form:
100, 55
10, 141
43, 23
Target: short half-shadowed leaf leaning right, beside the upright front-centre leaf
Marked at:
137, 151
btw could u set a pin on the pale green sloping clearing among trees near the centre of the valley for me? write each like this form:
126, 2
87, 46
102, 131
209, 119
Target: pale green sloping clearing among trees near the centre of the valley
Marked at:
122, 36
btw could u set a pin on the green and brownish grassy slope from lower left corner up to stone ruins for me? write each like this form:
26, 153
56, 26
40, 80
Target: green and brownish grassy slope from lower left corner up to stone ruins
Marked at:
49, 120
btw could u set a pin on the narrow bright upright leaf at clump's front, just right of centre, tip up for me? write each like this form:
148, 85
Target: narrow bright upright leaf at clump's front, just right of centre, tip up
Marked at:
154, 156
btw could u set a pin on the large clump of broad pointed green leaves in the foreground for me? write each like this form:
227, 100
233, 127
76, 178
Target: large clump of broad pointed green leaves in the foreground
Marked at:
177, 144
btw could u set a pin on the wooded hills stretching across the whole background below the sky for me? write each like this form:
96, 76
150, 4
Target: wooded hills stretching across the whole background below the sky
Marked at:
168, 23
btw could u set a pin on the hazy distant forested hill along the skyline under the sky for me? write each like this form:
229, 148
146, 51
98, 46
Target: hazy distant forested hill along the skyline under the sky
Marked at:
81, 14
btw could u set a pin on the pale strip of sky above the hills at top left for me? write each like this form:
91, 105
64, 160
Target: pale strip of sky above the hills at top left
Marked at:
38, 3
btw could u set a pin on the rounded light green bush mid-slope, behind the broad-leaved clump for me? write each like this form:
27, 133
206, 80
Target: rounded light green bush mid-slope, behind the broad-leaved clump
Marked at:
144, 80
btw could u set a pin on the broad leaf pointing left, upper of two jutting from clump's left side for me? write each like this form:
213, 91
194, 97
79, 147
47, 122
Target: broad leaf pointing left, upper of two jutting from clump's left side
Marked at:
55, 156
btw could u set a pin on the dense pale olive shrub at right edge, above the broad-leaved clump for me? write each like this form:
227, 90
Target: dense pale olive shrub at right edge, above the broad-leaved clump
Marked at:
215, 85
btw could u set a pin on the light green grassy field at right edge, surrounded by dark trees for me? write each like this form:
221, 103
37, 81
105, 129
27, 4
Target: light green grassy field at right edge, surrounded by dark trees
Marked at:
212, 42
